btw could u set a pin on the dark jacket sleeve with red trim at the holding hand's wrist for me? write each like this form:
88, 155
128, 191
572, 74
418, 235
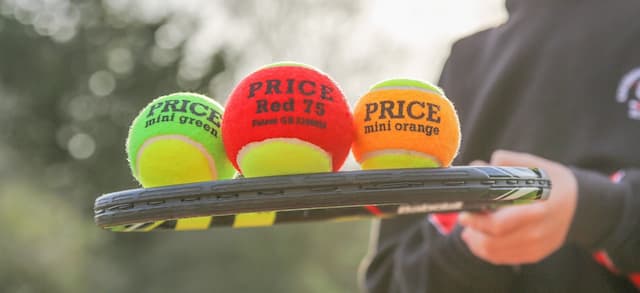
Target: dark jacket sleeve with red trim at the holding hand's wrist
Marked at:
607, 218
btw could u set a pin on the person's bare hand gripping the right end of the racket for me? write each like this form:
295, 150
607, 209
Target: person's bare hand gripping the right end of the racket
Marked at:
528, 233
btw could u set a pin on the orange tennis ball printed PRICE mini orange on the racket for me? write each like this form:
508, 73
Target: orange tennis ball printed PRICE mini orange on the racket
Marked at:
405, 123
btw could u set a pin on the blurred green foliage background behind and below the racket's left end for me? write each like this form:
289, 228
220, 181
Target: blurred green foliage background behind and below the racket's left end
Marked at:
73, 74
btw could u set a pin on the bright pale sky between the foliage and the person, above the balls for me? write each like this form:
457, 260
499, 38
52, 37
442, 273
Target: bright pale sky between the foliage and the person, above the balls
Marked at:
414, 35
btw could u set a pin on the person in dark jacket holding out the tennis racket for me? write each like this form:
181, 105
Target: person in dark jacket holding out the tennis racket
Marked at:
558, 86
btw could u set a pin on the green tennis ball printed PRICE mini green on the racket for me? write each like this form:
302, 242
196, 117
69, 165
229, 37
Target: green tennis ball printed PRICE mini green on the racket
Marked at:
177, 139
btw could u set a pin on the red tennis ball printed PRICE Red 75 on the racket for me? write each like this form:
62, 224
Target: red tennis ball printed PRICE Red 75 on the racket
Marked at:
287, 118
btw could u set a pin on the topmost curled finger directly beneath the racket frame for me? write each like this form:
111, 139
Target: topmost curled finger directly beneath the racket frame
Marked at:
503, 221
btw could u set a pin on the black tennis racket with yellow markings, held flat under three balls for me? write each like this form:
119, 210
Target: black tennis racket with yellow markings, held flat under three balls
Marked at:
267, 201
